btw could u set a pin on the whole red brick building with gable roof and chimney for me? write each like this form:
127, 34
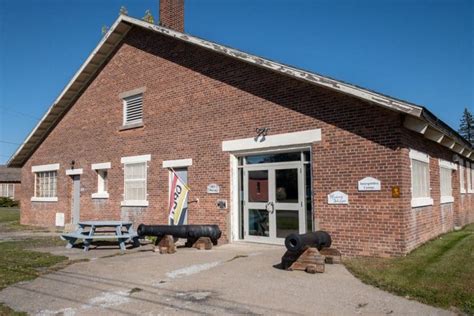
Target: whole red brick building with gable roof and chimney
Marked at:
266, 149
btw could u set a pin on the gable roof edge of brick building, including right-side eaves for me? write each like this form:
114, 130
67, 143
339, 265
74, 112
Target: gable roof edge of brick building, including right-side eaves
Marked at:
418, 118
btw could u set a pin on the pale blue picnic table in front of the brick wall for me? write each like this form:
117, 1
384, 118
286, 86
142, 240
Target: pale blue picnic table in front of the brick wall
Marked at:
88, 236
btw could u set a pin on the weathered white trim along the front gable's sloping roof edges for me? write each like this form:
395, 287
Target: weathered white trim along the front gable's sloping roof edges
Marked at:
120, 28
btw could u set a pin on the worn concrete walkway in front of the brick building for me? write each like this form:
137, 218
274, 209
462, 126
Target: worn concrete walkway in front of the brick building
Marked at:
230, 279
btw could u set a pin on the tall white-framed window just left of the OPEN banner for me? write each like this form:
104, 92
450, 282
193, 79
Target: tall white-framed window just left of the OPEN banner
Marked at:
135, 180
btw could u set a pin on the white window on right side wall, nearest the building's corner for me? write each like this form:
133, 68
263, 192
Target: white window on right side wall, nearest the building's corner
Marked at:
420, 179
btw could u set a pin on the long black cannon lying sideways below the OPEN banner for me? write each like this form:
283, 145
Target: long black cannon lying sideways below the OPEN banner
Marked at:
191, 232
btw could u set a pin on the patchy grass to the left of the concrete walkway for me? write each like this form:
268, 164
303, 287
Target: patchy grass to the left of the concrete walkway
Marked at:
17, 261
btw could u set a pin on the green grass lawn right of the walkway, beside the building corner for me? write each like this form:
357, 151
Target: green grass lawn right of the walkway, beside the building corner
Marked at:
439, 273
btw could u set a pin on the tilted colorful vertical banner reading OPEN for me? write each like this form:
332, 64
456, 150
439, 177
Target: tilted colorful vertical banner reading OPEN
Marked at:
178, 193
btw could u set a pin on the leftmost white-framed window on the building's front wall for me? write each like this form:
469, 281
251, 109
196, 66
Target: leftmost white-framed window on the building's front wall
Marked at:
46, 179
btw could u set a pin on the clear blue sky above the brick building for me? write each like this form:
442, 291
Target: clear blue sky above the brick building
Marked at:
417, 50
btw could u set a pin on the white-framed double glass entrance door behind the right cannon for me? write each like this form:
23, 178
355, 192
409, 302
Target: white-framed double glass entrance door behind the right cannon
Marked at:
273, 201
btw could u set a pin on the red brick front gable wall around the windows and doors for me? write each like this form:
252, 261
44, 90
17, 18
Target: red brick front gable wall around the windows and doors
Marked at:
194, 100
